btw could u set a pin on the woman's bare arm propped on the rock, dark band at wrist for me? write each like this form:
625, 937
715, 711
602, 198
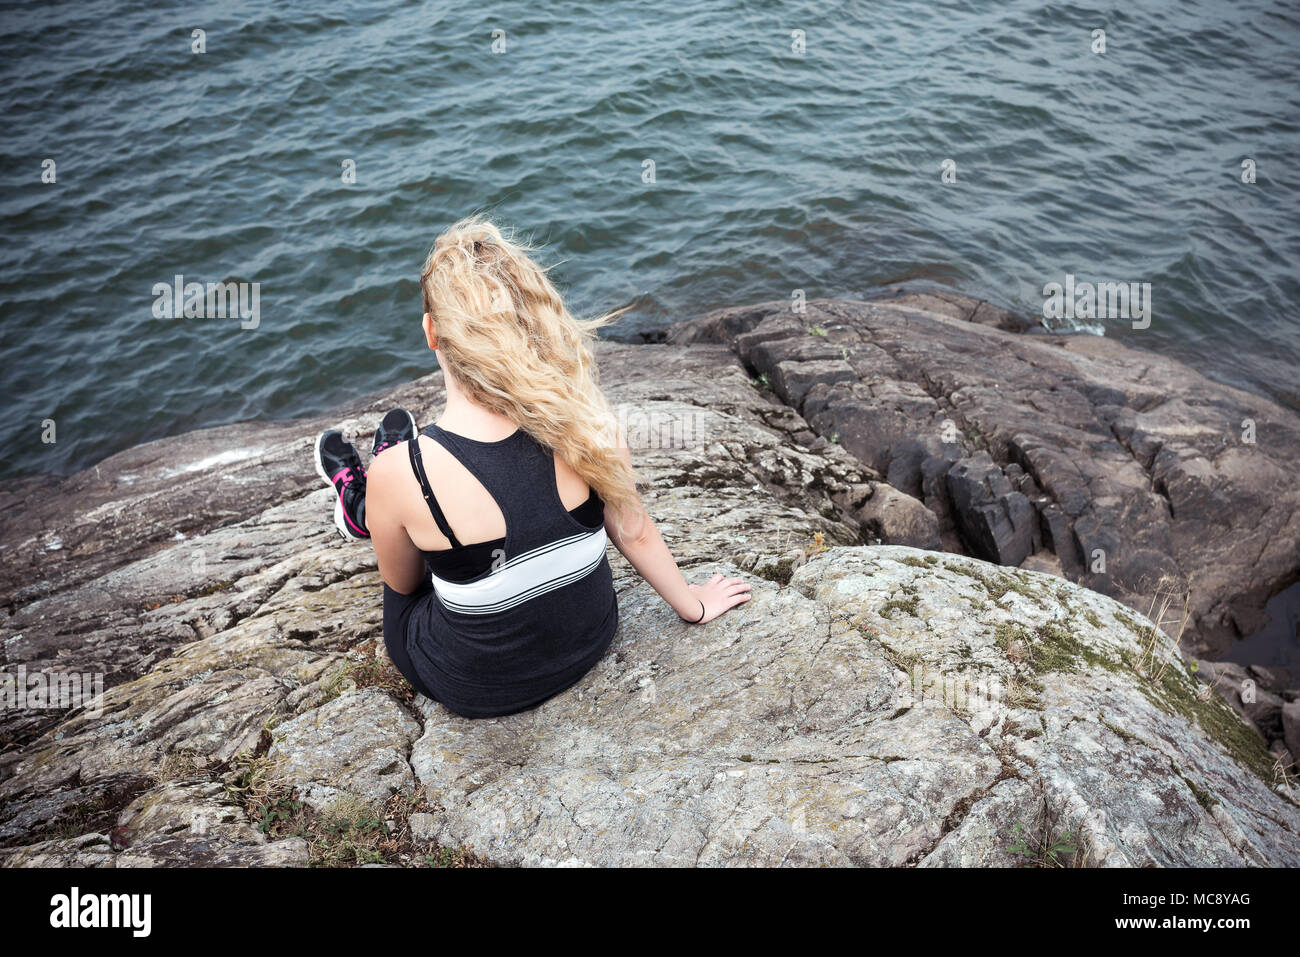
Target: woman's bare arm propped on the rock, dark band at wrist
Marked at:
638, 538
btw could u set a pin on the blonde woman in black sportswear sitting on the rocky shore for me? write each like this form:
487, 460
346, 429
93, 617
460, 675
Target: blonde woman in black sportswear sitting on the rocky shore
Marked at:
491, 526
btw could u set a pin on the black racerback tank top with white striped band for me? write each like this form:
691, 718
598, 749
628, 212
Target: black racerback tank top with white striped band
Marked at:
545, 610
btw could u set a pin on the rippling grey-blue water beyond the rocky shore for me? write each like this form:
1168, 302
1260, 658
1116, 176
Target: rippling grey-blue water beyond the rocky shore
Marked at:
774, 172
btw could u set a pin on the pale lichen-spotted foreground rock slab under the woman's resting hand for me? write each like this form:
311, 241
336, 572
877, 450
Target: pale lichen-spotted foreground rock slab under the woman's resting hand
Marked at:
648, 764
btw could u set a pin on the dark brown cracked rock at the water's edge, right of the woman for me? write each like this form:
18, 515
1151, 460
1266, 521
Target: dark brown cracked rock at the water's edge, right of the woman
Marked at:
1138, 464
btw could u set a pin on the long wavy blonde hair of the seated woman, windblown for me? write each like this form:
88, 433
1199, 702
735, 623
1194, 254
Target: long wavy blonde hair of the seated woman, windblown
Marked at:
513, 347
